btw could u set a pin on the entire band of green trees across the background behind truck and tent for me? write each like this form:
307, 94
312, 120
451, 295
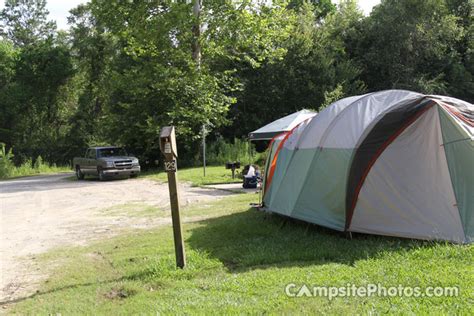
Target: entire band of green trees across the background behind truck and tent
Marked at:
127, 68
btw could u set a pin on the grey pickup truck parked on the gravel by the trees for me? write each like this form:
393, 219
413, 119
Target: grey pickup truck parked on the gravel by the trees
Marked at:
106, 162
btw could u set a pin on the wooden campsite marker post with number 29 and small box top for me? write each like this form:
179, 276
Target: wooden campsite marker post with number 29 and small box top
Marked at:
169, 150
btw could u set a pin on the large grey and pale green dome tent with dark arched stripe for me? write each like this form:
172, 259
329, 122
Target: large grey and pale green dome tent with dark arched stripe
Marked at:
394, 163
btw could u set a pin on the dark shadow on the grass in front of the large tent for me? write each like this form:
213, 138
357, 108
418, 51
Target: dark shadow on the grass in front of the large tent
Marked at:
251, 239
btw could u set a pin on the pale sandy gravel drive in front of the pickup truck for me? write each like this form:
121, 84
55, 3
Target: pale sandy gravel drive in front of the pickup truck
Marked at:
39, 213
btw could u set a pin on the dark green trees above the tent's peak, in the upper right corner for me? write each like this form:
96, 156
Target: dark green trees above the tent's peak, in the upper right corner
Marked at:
416, 45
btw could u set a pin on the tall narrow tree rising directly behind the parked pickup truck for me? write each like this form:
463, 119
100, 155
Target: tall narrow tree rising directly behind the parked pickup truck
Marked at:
93, 49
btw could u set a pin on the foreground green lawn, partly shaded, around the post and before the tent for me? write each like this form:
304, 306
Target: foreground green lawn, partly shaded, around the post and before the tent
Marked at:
239, 261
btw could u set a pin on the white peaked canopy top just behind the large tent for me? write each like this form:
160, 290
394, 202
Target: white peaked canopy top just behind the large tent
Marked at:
279, 126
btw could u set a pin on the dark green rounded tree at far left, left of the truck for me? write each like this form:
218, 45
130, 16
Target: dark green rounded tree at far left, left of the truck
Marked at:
36, 100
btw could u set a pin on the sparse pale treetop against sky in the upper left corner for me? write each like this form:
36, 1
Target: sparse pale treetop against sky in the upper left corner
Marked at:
26, 21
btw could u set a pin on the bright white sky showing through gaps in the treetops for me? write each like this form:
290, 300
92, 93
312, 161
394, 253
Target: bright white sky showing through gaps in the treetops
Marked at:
59, 9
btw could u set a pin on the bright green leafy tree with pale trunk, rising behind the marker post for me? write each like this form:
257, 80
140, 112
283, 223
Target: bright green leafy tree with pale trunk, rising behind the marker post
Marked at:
164, 69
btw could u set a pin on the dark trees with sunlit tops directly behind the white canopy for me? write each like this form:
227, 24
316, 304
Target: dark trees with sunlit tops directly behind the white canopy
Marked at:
316, 63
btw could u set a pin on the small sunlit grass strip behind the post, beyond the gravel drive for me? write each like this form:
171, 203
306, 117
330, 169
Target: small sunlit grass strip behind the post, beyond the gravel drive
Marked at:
214, 175
